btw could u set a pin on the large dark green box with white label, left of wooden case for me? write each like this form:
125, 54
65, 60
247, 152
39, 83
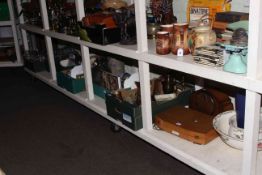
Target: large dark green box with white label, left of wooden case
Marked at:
131, 114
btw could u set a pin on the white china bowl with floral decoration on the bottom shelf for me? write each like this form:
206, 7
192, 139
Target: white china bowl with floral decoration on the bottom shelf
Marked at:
225, 125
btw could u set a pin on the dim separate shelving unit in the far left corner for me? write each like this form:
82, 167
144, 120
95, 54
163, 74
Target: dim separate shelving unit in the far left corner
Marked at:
13, 24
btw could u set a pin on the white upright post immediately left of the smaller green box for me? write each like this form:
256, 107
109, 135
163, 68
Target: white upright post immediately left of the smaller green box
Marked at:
48, 40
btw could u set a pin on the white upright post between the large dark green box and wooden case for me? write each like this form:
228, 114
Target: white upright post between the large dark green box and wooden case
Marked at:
144, 73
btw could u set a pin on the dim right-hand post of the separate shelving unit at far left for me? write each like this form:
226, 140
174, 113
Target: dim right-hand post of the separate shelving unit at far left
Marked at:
12, 18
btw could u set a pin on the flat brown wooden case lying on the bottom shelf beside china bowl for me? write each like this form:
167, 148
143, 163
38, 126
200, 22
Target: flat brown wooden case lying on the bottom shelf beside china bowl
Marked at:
187, 123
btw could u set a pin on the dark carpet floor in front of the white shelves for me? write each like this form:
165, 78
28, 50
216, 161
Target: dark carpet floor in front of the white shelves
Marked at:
42, 132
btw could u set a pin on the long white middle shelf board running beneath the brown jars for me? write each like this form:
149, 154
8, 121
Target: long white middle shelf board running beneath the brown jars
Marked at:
183, 64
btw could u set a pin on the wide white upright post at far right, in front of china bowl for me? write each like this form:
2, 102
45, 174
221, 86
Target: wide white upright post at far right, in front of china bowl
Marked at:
252, 110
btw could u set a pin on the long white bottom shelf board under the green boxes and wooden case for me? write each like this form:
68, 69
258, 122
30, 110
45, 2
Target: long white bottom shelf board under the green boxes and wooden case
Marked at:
213, 158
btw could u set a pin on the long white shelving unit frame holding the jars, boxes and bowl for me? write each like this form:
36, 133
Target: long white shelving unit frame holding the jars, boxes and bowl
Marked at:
215, 157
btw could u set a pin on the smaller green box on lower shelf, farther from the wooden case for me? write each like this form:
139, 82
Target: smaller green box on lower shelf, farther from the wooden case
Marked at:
71, 84
